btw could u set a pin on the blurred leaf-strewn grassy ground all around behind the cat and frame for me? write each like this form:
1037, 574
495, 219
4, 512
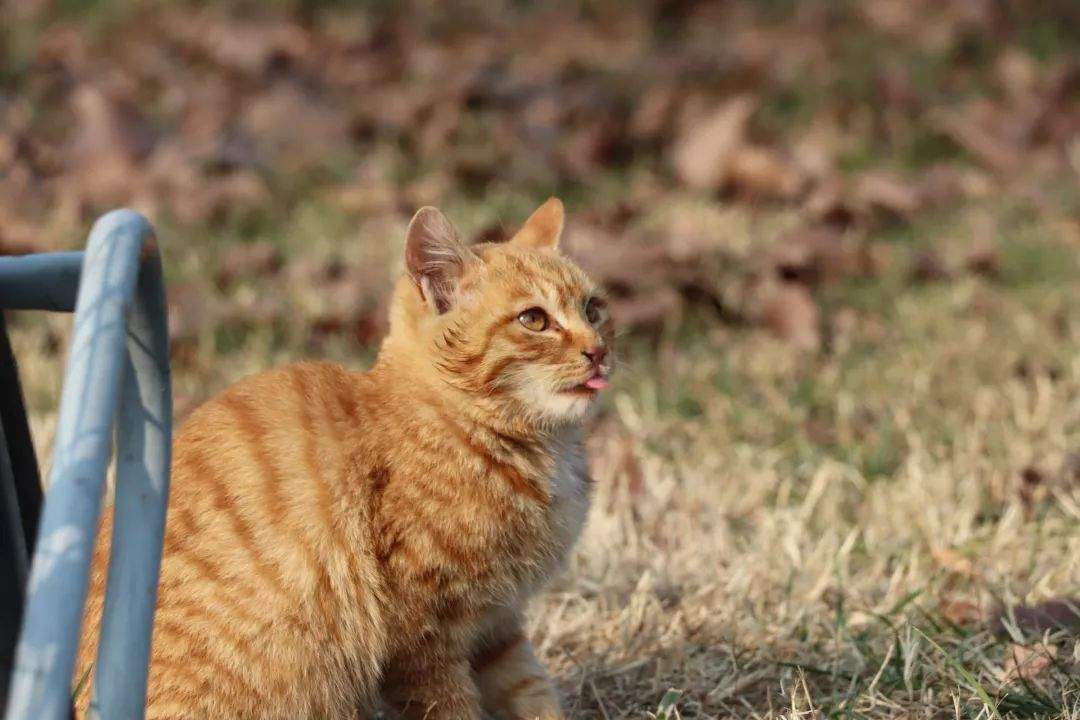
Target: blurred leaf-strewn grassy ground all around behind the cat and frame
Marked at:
841, 470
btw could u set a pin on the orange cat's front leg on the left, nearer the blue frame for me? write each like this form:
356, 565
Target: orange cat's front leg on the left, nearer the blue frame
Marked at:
435, 683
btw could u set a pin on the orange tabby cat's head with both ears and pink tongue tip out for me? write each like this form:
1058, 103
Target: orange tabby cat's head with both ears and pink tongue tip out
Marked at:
515, 323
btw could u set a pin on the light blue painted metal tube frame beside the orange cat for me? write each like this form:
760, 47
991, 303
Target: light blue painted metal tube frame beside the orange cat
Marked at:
117, 379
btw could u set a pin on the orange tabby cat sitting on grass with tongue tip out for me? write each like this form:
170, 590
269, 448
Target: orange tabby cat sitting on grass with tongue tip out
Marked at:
339, 538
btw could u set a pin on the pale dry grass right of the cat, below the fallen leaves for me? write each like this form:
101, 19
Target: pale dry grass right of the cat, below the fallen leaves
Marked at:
830, 537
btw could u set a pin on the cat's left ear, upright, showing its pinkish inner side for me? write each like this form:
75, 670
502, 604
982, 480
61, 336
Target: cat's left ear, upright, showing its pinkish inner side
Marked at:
436, 259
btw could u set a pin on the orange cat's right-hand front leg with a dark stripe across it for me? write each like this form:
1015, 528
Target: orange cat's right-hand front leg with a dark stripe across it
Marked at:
514, 684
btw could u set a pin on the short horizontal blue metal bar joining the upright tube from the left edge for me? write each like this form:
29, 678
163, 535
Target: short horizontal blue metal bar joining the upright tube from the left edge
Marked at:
49, 281
